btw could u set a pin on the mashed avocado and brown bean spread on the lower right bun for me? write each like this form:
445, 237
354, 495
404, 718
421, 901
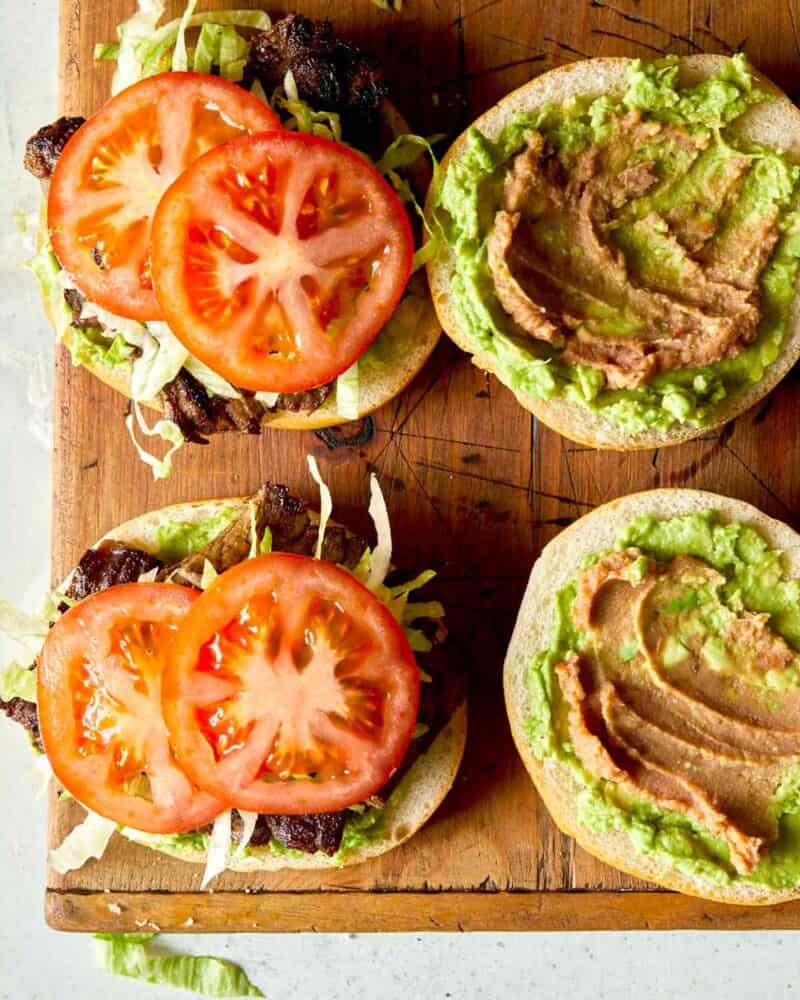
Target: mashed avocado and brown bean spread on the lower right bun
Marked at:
670, 688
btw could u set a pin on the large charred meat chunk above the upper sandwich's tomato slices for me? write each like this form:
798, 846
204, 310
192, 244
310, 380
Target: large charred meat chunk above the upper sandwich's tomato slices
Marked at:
331, 75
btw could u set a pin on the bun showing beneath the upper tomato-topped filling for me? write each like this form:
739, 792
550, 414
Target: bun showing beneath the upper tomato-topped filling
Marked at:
417, 327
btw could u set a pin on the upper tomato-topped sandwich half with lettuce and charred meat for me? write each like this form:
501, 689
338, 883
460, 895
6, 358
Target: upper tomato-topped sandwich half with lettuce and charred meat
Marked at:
276, 286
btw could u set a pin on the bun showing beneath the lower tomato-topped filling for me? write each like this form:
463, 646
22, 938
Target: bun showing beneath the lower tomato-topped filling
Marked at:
414, 800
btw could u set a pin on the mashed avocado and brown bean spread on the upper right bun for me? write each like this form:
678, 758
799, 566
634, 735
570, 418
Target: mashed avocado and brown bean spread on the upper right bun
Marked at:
668, 219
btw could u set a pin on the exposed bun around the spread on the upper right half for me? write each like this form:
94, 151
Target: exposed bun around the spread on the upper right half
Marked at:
773, 123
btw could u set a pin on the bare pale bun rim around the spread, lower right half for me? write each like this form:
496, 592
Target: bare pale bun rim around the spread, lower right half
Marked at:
557, 565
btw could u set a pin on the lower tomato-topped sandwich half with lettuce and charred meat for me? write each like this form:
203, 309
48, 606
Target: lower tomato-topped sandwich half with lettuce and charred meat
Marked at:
242, 683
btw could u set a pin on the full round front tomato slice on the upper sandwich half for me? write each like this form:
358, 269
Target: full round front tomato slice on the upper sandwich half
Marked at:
277, 258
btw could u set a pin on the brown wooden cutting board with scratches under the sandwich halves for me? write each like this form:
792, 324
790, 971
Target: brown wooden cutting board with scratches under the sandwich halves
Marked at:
475, 488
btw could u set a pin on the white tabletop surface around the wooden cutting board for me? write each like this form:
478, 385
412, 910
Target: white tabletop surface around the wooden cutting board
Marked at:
39, 964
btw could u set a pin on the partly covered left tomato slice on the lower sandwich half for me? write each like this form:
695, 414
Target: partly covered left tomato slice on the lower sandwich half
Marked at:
99, 694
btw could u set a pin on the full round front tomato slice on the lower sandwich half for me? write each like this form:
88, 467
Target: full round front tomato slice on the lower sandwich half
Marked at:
292, 689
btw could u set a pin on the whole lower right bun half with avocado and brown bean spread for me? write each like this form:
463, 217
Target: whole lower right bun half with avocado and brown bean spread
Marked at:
653, 688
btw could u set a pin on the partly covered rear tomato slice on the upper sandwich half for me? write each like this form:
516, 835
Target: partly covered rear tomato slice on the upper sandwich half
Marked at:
113, 171
